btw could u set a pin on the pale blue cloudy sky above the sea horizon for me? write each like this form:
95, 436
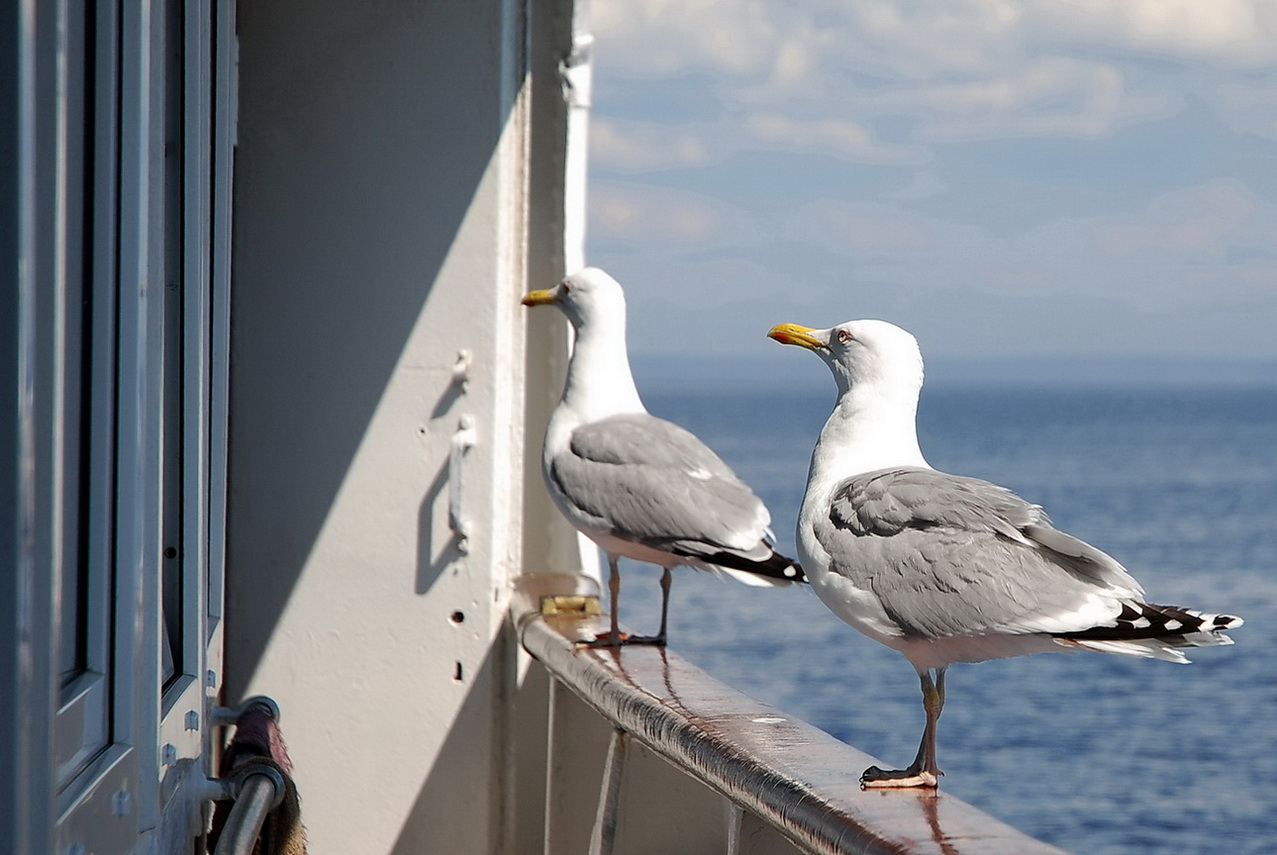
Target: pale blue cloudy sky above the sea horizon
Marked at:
1003, 178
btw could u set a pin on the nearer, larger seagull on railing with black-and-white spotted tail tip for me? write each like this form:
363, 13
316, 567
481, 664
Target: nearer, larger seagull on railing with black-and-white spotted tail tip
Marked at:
947, 569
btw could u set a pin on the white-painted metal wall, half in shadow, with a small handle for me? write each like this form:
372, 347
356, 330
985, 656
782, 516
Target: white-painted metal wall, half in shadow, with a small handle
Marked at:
397, 193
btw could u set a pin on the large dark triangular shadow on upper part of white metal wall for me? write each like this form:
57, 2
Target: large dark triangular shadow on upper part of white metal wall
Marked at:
349, 193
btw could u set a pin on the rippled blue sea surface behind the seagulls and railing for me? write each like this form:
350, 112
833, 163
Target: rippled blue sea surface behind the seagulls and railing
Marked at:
1095, 754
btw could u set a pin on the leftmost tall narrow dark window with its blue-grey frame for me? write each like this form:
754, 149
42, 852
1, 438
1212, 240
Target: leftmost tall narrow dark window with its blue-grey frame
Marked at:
82, 727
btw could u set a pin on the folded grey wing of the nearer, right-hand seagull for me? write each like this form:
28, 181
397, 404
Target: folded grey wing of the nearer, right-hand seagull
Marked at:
956, 556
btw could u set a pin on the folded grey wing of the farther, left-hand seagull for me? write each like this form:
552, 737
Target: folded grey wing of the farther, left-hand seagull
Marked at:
651, 482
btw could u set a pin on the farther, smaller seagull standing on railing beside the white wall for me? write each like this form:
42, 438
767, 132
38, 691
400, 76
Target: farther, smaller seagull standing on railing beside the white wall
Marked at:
638, 486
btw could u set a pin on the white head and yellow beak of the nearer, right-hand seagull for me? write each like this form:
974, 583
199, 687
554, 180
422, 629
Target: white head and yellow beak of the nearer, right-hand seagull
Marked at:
863, 354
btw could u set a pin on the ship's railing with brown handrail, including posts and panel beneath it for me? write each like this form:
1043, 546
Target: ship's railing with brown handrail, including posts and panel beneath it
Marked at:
783, 785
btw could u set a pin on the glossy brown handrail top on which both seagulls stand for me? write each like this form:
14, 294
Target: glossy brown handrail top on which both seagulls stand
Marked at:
794, 777
